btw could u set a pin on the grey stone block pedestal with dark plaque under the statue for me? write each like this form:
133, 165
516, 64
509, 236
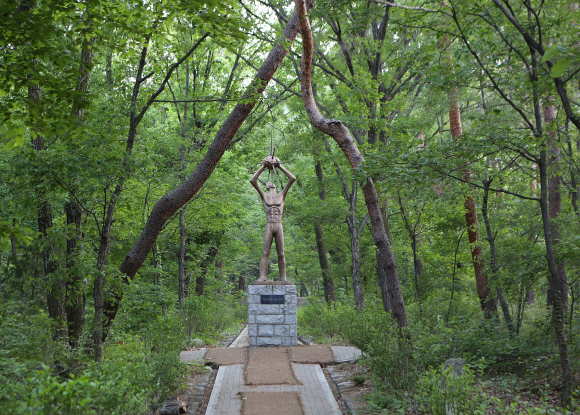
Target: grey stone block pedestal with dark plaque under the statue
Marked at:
272, 314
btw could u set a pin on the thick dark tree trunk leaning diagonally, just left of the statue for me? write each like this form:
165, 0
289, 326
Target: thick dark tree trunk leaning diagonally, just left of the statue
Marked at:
174, 200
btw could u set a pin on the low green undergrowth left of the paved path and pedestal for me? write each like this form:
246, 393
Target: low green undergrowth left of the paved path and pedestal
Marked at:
140, 368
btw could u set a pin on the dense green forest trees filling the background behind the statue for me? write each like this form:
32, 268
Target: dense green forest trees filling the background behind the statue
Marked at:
436, 146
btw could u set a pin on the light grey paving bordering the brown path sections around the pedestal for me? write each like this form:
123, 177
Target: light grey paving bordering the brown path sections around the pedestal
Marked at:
315, 393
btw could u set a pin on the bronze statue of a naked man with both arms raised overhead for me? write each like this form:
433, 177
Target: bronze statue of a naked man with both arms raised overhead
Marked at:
274, 206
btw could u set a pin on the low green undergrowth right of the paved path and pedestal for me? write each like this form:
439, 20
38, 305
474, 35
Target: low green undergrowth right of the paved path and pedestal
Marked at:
503, 374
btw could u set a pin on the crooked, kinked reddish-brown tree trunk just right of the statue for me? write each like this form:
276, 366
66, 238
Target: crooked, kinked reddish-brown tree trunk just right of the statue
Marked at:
341, 134
